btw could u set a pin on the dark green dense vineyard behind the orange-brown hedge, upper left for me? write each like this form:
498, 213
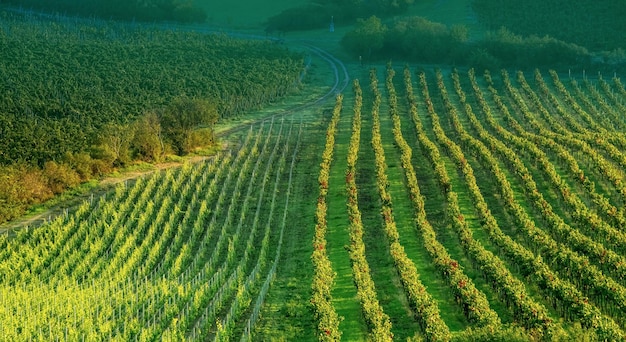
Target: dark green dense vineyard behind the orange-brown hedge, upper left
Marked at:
65, 81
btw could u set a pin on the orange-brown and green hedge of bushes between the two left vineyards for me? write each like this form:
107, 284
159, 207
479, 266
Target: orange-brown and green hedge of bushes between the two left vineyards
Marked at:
179, 128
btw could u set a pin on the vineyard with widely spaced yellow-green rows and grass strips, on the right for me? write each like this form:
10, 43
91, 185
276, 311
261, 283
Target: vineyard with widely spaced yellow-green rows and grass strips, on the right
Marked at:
499, 200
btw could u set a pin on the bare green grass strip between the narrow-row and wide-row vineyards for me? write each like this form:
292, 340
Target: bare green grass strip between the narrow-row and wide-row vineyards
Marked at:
286, 313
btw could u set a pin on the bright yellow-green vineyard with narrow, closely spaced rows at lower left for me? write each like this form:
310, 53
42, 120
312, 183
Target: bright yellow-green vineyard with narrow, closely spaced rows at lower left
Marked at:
186, 253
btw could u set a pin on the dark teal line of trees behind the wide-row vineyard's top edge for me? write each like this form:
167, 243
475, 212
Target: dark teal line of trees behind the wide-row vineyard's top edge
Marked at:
417, 39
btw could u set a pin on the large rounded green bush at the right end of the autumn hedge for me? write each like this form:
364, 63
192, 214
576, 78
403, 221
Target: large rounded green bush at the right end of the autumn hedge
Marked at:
182, 117
